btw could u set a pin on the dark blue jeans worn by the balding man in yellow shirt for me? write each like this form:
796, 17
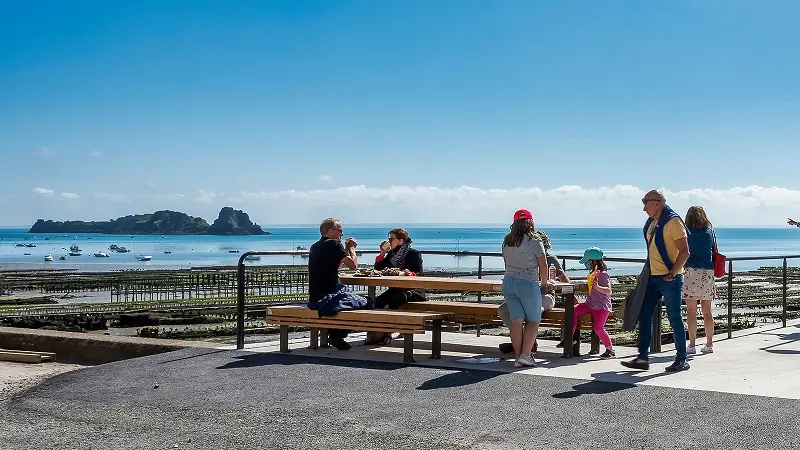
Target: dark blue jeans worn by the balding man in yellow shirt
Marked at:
672, 293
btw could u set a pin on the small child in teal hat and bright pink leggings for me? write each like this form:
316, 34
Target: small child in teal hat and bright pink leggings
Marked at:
598, 301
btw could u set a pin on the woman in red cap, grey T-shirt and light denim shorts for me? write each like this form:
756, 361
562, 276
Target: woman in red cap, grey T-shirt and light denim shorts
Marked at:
523, 254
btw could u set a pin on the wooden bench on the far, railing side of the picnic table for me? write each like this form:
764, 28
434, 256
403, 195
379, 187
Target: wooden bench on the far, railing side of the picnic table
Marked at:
470, 313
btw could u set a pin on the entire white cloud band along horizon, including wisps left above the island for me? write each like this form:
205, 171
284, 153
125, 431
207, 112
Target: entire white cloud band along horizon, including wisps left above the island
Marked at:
568, 205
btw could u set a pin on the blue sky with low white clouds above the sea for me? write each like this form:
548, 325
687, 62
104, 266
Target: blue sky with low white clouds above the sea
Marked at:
446, 111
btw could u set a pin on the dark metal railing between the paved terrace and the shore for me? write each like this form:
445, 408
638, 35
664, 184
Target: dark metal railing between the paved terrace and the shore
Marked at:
730, 276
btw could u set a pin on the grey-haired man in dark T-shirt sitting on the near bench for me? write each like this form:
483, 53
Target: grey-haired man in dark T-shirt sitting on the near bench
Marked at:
325, 294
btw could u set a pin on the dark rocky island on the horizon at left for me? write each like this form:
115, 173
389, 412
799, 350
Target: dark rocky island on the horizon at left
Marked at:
229, 222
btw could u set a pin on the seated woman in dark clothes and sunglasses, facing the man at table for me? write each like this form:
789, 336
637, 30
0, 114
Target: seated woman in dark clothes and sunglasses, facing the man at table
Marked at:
396, 253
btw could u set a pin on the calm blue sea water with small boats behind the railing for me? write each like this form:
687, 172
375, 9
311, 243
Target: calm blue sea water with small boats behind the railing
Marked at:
196, 251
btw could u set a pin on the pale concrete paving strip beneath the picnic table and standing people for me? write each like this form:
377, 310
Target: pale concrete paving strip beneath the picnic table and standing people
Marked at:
763, 361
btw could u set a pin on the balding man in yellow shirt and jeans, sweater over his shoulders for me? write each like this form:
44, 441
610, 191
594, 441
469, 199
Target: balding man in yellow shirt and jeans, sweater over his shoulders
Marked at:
668, 250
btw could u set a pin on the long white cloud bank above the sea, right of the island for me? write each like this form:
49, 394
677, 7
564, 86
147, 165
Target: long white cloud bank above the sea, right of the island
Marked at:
566, 205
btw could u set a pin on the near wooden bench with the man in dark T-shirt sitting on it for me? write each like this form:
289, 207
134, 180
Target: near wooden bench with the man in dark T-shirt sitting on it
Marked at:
407, 323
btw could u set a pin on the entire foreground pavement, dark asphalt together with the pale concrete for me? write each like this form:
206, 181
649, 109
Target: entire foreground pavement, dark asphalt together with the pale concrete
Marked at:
216, 398
